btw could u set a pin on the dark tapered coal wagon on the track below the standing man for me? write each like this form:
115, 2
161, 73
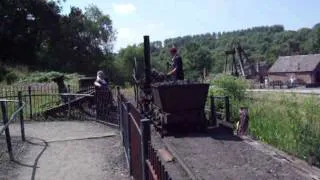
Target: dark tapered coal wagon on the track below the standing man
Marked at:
178, 106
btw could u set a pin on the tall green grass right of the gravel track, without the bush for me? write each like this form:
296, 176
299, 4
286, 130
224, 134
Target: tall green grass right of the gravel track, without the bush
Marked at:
287, 121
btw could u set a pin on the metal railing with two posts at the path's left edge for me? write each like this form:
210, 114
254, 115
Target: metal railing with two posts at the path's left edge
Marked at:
7, 121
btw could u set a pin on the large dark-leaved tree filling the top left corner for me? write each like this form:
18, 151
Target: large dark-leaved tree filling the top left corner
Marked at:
24, 28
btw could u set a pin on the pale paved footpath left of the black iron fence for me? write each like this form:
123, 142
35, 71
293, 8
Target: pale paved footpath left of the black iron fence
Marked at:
65, 150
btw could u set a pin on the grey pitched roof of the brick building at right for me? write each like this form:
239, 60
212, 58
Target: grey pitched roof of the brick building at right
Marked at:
297, 63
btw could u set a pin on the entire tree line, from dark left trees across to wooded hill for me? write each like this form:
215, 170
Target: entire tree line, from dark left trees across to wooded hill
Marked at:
35, 33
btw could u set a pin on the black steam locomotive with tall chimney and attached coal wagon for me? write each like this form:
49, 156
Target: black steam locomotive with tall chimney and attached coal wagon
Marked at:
171, 105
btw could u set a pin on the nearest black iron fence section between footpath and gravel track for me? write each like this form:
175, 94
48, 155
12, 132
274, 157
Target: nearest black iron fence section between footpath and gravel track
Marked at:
143, 160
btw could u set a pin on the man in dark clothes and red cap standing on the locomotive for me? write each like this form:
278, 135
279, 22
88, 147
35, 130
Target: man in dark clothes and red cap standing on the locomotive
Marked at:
177, 66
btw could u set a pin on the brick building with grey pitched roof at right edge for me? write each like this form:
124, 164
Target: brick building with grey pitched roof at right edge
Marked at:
305, 69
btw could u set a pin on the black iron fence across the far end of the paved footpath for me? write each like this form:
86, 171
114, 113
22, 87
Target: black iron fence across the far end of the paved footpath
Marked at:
44, 100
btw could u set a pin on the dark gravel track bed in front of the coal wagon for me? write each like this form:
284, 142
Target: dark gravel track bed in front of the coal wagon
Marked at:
224, 156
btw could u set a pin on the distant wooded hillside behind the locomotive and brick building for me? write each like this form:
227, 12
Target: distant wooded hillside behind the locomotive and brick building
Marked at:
265, 43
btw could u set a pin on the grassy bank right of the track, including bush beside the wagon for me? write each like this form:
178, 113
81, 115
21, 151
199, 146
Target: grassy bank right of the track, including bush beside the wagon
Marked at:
287, 121
